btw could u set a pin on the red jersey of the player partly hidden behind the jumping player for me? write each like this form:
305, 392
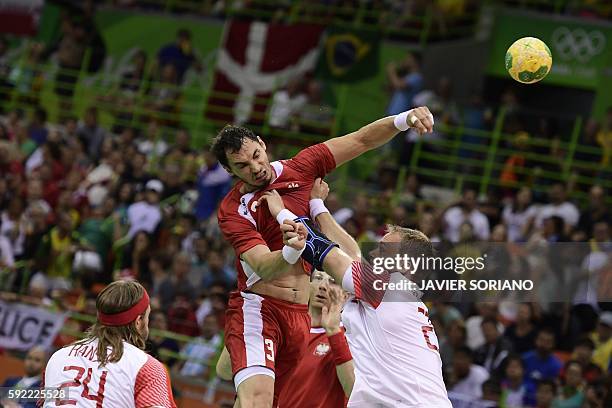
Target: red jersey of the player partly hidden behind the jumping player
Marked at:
314, 383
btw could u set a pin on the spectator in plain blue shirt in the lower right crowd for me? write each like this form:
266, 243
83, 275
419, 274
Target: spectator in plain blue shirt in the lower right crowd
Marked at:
541, 364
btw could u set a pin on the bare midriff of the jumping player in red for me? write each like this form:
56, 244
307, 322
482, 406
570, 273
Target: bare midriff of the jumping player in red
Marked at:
292, 287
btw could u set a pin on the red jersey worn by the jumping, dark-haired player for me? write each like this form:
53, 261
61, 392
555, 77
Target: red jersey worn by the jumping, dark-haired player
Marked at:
244, 224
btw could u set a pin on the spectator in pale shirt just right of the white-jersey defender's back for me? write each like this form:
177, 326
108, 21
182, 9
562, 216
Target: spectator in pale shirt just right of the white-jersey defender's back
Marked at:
467, 378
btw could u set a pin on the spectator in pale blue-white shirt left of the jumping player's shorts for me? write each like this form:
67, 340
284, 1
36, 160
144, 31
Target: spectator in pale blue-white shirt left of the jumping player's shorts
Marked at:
201, 353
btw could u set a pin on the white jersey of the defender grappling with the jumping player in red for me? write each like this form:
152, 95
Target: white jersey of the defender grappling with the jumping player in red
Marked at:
395, 352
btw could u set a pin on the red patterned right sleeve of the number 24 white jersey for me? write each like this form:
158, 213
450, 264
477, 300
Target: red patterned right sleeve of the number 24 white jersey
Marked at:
152, 387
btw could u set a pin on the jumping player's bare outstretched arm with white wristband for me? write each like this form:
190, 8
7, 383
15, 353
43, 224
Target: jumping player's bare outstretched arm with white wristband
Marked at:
375, 134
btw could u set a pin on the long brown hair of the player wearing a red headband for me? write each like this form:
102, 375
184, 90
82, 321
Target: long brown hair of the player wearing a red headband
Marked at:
115, 298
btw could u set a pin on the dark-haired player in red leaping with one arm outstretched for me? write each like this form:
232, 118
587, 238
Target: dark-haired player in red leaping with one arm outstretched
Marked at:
267, 322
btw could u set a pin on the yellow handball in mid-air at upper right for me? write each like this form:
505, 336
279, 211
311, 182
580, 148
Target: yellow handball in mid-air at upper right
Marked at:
528, 60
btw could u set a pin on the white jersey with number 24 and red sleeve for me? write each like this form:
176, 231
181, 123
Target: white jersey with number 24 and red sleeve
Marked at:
137, 380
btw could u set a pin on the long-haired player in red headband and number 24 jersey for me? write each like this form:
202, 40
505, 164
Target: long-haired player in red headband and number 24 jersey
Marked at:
109, 367
